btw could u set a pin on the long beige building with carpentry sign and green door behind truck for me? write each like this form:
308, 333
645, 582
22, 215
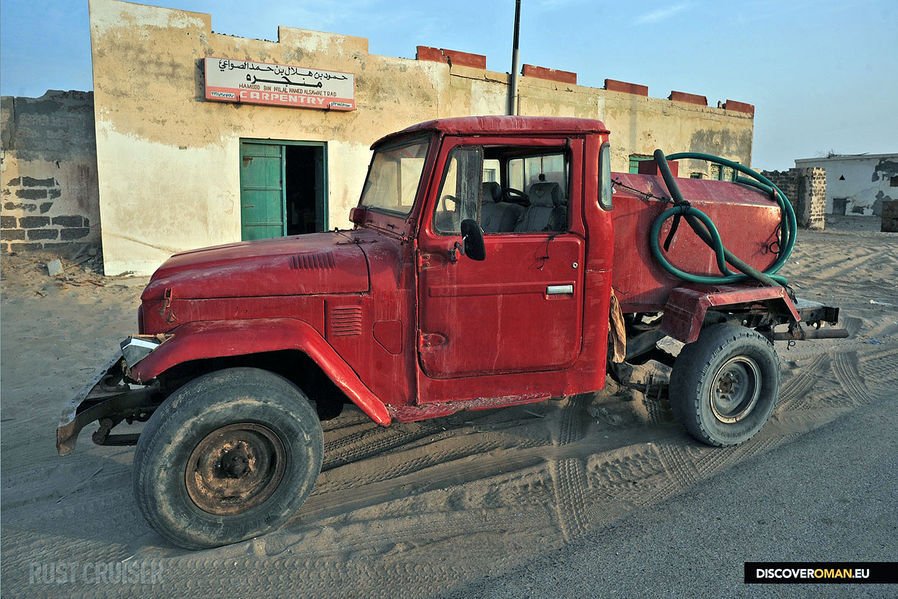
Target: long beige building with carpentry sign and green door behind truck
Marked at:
178, 171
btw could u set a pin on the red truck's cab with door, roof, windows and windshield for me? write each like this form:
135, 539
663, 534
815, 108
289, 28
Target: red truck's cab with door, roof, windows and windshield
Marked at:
472, 318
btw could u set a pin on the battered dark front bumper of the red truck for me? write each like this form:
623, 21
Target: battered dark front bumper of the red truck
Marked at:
109, 398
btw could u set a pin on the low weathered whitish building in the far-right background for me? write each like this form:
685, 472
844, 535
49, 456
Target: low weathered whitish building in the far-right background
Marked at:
857, 184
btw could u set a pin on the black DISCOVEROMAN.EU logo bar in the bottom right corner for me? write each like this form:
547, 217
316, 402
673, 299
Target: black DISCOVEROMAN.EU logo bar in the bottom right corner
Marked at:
821, 572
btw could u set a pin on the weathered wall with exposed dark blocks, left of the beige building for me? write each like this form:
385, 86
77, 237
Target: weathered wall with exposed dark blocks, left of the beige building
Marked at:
49, 198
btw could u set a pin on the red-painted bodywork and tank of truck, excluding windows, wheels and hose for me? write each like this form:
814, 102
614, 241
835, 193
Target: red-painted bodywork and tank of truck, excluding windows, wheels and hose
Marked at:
408, 333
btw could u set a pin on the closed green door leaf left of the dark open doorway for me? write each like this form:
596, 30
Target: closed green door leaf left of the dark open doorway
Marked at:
262, 199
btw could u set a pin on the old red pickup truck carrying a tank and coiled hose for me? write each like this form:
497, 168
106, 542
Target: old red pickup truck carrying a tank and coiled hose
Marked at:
494, 261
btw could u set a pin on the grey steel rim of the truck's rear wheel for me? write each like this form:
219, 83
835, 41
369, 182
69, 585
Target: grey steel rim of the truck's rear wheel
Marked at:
735, 389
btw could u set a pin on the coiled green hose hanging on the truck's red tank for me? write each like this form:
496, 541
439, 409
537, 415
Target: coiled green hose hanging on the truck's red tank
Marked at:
706, 230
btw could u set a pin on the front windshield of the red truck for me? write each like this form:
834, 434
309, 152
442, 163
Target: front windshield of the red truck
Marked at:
394, 177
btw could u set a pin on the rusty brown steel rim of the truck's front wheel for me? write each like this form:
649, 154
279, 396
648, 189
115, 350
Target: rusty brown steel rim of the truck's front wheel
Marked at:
235, 468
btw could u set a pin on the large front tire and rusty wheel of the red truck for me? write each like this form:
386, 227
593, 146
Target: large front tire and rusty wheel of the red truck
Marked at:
228, 456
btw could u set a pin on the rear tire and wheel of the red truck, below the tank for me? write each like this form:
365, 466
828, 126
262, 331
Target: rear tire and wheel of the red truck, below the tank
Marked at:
725, 385
